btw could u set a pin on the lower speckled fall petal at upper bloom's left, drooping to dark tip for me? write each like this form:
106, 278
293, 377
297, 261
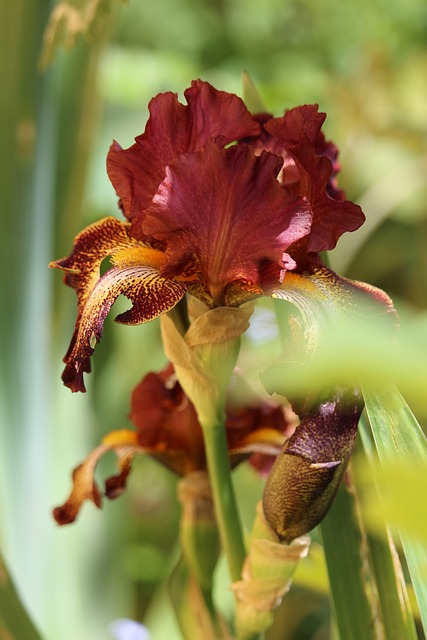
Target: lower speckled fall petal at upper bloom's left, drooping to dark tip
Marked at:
151, 295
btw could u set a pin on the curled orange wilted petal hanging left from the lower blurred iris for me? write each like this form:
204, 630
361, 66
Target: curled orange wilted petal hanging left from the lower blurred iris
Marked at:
124, 445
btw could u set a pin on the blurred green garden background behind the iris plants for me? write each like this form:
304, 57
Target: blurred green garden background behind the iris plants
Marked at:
365, 63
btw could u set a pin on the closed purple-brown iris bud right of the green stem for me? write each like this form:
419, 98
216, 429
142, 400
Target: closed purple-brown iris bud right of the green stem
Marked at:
306, 475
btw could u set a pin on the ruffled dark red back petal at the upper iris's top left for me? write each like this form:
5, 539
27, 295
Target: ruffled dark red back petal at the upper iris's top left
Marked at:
174, 129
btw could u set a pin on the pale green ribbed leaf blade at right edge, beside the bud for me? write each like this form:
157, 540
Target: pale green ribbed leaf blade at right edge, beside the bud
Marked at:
400, 439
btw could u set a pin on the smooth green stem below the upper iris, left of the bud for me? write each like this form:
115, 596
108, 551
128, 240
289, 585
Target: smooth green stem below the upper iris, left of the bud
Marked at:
227, 515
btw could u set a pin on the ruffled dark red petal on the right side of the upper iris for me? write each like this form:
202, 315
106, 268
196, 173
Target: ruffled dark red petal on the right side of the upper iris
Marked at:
299, 132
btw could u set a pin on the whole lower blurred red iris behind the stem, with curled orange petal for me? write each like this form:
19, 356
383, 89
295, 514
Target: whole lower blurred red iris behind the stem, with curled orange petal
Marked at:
168, 430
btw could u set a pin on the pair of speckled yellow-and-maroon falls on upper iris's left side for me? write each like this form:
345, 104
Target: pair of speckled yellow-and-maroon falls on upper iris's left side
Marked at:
135, 275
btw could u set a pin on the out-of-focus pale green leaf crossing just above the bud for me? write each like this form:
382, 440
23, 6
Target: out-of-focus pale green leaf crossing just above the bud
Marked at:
365, 355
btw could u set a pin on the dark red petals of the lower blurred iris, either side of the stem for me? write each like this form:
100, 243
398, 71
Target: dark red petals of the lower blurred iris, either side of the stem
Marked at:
168, 427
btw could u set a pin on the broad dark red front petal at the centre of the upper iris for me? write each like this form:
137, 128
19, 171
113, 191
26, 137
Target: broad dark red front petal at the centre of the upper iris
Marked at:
224, 210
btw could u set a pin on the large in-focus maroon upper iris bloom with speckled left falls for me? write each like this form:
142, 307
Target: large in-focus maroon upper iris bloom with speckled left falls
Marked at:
220, 221
